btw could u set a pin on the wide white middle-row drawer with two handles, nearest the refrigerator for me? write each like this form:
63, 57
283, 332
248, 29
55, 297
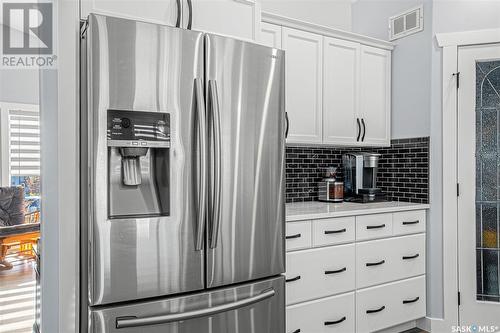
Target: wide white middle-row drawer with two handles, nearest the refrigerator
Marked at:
317, 273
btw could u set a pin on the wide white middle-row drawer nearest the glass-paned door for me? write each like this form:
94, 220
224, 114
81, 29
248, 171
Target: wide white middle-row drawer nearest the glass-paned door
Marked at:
385, 260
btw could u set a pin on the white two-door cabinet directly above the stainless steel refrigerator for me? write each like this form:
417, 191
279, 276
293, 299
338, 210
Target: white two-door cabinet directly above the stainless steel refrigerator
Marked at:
235, 18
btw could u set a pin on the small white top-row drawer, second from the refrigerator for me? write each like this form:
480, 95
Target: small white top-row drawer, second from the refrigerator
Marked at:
334, 231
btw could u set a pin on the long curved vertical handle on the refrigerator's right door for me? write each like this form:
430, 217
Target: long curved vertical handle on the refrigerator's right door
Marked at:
214, 102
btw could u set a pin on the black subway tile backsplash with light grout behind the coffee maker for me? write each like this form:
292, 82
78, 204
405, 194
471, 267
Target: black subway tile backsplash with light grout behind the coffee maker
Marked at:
403, 169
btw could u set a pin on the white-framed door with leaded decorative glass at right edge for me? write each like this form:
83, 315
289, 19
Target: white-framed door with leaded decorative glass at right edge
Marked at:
478, 173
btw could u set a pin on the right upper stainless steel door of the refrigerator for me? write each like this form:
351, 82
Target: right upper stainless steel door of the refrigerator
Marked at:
245, 106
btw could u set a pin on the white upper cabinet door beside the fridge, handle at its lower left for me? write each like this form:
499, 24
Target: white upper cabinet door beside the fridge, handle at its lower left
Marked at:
304, 77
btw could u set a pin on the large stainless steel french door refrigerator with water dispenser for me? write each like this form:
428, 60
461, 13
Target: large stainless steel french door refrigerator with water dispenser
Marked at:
182, 158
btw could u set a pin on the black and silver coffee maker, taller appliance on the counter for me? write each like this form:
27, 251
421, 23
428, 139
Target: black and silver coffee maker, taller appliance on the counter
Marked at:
360, 177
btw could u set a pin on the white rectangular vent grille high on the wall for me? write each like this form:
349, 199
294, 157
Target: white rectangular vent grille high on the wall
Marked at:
407, 23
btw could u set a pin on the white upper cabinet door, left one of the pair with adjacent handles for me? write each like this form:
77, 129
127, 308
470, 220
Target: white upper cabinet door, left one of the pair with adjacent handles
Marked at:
340, 92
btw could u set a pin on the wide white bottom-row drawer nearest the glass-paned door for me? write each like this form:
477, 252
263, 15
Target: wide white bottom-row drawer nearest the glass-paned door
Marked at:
390, 304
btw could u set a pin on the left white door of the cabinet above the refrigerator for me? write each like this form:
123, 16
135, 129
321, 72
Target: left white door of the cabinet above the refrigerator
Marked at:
160, 12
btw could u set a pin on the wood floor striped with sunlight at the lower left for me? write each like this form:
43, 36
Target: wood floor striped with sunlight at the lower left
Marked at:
17, 296
